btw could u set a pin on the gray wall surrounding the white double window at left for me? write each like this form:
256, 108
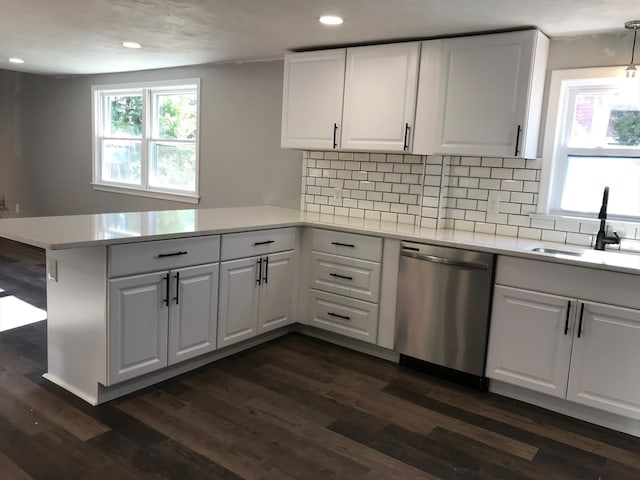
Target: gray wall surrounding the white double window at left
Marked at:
241, 162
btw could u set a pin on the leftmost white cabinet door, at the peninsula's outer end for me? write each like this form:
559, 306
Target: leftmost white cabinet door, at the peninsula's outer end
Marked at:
138, 314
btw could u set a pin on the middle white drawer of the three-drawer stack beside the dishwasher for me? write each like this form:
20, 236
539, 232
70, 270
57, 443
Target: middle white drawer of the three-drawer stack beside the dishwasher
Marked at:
346, 276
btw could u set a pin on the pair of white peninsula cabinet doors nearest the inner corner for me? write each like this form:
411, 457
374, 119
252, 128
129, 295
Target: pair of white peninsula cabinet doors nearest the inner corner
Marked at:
255, 296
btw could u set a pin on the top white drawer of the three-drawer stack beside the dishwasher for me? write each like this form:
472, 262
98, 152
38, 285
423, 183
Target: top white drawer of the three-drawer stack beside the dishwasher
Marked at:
347, 244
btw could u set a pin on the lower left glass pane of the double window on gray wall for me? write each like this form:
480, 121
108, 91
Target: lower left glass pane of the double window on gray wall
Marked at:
121, 161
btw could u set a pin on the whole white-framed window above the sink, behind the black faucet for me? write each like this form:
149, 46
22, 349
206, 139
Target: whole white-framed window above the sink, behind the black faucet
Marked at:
593, 141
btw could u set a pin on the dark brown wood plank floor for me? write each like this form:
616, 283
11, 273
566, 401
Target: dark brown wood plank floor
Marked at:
296, 408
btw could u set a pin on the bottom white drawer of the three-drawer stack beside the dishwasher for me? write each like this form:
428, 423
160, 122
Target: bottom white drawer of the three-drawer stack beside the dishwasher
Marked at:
346, 316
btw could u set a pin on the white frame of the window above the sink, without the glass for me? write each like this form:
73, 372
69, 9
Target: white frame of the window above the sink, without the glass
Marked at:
557, 131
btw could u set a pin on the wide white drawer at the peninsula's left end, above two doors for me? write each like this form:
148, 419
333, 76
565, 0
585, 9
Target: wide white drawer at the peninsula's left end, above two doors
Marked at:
144, 257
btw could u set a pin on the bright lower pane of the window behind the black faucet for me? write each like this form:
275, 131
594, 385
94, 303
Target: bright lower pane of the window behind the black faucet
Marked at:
587, 177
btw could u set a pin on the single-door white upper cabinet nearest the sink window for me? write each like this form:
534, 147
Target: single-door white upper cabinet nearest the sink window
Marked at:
482, 95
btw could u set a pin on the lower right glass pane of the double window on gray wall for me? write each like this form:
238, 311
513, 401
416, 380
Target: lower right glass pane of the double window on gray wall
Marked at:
173, 166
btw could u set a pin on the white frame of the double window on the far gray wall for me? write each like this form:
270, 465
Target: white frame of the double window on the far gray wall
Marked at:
148, 139
